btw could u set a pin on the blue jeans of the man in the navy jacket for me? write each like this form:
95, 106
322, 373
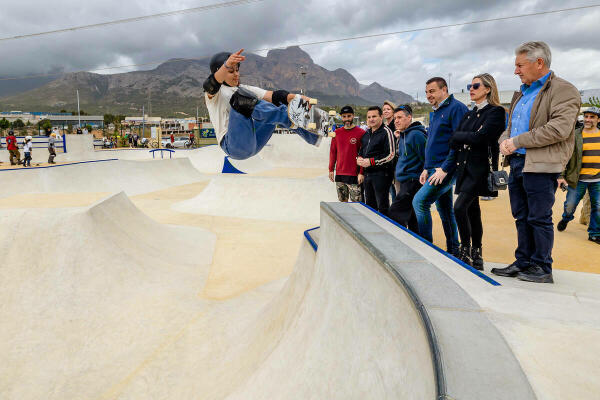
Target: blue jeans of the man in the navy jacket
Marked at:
441, 195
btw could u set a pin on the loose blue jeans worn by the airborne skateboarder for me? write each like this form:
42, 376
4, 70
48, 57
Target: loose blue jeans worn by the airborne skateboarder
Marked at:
245, 137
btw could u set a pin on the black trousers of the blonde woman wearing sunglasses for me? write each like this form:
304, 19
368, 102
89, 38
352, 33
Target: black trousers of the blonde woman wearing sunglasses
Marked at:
468, 219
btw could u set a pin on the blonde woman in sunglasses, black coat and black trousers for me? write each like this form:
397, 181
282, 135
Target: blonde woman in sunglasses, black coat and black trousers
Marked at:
474, 141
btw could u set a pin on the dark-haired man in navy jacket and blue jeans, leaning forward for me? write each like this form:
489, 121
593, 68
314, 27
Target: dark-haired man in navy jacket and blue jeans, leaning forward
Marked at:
437, 176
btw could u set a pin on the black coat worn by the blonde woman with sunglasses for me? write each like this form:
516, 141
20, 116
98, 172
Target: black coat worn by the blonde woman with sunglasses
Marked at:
474, 140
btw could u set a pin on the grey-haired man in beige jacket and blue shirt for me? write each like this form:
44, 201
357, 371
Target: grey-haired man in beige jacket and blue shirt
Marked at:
538, 143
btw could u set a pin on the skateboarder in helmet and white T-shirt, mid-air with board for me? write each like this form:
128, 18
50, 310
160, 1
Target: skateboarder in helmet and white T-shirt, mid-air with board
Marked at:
245, 116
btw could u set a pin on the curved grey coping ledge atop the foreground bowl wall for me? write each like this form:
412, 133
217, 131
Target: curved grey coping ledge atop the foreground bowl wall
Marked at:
471, 358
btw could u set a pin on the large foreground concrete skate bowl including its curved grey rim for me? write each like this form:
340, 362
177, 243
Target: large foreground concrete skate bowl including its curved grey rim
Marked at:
105, 318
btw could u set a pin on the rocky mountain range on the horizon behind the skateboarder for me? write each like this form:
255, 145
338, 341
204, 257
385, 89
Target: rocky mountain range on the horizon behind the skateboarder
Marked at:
174, 88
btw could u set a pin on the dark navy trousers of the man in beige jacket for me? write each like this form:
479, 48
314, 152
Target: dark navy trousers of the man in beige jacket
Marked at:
531, 200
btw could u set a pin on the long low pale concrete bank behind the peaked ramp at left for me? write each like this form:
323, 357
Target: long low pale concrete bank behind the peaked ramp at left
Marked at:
100, 176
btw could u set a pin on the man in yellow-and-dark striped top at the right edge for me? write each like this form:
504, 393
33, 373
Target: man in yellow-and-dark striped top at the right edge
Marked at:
582, 174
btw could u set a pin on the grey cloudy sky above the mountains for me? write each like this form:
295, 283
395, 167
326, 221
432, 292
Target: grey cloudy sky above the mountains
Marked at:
402, 62
